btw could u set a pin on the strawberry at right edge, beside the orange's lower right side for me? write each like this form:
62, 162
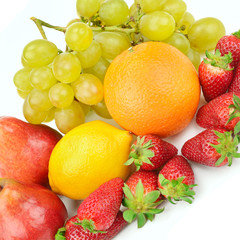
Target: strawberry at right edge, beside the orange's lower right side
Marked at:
216, 113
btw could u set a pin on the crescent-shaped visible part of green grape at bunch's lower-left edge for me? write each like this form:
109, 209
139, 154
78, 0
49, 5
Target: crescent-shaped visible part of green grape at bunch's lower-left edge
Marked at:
31, 115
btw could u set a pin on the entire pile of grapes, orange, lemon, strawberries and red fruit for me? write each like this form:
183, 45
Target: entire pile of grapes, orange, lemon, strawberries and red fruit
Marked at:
151, 90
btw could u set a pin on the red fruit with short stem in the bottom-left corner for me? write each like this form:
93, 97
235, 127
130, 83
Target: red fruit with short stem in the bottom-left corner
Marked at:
29, 211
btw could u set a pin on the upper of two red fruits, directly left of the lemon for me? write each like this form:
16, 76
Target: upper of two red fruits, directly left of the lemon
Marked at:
25, 150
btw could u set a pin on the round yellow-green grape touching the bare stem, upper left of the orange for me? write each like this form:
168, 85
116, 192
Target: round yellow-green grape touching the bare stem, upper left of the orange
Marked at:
78, 36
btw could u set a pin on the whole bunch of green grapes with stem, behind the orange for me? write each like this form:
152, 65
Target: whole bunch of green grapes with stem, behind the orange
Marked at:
65, 85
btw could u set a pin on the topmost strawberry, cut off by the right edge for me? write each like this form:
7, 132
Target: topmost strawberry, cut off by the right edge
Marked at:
231, 44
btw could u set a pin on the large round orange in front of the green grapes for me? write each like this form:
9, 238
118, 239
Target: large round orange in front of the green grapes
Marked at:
152, 88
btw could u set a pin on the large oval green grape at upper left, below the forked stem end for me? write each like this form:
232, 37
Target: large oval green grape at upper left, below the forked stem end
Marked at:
39, 53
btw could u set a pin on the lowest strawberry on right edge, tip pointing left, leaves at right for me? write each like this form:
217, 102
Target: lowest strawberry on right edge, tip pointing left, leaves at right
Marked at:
211, 147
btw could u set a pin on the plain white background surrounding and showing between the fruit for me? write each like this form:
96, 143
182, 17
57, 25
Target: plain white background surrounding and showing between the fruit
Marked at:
215, 211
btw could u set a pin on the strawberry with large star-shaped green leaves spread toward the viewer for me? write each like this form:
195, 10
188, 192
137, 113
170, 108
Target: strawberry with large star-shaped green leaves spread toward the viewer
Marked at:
141, 197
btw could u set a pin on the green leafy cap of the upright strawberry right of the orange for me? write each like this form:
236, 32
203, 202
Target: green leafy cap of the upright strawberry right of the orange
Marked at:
216, 60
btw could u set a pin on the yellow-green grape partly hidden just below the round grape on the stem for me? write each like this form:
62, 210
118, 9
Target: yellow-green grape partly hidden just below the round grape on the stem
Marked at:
91, 55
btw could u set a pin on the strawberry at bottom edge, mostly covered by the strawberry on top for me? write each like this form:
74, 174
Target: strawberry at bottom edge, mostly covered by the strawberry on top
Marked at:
77, 232
